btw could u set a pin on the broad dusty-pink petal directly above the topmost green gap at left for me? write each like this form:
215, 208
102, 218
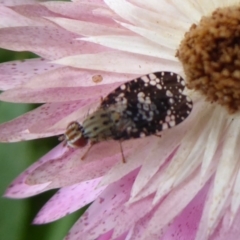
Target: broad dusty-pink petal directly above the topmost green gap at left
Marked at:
48, 41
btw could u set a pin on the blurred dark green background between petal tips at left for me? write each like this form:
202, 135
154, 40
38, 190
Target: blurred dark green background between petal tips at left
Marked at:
16, 215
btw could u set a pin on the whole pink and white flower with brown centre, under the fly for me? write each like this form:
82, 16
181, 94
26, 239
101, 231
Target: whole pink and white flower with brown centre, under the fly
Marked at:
184, 185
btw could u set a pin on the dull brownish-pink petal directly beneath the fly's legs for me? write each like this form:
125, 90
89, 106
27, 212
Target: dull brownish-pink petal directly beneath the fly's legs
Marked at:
63, 172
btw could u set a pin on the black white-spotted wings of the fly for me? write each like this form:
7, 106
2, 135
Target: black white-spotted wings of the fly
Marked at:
147, 105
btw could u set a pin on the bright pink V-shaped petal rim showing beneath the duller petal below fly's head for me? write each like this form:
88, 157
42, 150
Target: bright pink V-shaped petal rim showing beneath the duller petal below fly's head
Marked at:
19, 188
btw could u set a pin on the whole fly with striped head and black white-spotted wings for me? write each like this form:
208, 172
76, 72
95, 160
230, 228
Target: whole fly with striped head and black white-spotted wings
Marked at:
138, 108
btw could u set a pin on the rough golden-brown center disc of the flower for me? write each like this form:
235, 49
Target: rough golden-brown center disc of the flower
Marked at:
210, 55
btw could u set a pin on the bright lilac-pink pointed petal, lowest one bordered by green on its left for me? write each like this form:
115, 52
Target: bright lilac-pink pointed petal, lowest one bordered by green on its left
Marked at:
68, 200
